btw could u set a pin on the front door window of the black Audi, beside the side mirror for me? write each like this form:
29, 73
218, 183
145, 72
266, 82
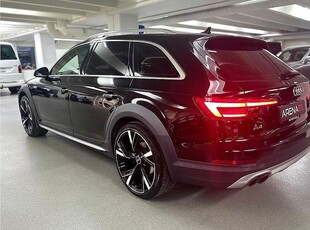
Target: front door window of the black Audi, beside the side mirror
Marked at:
71, 62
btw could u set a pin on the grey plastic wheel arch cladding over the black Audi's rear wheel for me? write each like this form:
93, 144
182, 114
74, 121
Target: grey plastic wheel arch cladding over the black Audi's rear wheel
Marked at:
133, 112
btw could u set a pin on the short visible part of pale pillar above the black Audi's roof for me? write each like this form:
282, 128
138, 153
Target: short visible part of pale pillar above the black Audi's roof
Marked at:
122, 22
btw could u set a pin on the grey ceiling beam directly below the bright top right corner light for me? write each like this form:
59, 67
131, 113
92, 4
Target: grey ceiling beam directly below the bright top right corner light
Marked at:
277, 17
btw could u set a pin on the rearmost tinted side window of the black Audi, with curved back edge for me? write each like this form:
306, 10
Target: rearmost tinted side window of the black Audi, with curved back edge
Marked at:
150, 61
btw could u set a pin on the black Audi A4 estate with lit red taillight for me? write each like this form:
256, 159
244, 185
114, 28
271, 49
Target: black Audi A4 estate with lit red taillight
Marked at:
192, 108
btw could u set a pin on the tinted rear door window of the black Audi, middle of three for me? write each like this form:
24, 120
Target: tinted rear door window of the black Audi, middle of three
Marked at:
109, 58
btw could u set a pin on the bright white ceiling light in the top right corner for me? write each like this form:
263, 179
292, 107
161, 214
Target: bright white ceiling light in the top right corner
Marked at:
294, 10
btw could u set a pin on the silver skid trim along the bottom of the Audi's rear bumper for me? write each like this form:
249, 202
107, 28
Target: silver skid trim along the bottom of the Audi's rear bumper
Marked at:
243, 181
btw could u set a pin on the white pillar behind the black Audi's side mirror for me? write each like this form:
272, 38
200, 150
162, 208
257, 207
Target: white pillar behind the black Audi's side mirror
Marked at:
45, 50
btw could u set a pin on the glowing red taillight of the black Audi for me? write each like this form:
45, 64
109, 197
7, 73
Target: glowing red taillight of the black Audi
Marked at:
231, 107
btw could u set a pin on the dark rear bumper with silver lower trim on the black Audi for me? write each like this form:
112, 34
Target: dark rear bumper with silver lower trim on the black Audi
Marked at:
276, 159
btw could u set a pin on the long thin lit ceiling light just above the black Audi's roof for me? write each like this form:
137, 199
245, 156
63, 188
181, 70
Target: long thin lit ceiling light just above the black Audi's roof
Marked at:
223, 27
